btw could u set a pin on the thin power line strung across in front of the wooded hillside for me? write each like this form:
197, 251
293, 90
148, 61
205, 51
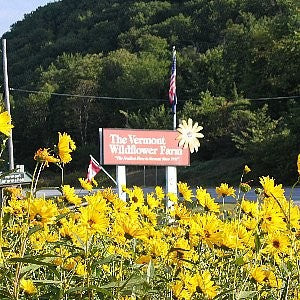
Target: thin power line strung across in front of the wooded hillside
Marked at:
139, 99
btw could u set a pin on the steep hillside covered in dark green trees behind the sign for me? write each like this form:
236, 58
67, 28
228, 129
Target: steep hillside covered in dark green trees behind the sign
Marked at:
117, 54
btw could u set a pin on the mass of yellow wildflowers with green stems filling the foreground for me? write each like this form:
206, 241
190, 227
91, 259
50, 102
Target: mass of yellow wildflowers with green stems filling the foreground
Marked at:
152, 246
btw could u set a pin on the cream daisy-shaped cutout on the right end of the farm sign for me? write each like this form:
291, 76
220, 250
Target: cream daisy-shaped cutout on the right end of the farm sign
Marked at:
189, 135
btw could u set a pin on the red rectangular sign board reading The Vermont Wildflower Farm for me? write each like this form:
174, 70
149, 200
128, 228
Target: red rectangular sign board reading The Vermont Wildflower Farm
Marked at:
142, 147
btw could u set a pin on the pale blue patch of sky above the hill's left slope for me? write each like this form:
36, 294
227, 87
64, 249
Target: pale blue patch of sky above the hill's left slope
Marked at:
12, 11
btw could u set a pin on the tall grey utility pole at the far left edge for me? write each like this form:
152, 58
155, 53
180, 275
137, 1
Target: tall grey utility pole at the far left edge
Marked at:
7, 104
